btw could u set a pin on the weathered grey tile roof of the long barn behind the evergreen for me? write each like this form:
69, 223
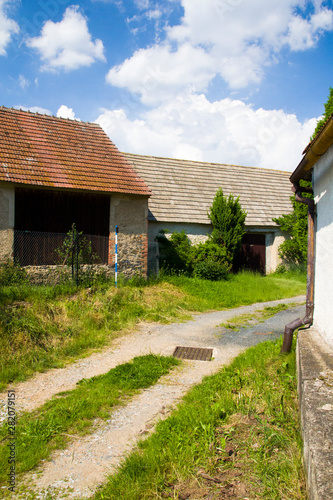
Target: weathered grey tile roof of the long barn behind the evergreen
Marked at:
183, 191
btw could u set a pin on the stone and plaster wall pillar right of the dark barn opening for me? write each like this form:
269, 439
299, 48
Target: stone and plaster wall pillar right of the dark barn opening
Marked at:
130, 214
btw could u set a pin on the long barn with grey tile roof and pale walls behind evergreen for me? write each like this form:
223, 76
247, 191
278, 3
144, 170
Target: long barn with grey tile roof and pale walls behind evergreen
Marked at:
183, 191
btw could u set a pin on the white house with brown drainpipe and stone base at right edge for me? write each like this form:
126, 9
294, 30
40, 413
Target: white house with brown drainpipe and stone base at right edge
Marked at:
315, 342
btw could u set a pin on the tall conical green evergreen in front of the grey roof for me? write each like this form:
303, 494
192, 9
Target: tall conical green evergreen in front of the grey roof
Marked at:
228, 220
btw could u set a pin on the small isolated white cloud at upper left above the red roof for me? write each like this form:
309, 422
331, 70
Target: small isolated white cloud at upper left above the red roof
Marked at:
67, 44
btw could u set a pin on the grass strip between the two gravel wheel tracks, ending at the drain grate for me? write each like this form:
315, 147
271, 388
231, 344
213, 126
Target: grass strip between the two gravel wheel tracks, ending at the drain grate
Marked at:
48, 428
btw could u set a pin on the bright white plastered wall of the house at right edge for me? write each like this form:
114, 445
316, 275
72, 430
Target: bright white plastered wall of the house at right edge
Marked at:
323, 191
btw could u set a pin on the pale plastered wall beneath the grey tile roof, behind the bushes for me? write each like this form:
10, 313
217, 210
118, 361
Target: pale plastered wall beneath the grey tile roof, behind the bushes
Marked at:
198, 233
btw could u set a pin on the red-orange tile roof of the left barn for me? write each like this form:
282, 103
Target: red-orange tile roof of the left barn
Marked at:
47, 151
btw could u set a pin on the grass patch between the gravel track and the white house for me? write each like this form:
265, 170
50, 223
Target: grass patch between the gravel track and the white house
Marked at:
234, 436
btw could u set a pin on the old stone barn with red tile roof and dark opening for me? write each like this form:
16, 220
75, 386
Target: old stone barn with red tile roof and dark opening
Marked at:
55, 172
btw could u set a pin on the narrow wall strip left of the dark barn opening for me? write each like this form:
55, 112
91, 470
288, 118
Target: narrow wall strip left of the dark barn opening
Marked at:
7, 203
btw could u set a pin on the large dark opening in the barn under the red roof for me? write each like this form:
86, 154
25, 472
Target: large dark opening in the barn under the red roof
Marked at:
44, 217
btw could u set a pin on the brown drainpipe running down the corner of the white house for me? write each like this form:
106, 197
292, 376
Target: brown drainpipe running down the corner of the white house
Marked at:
308, 318
